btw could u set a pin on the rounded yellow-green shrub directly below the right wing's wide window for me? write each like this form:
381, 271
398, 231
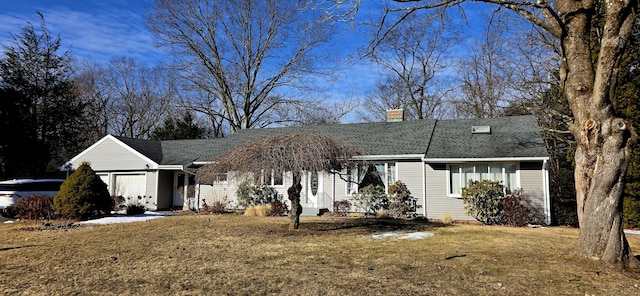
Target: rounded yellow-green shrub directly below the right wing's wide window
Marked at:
483, 201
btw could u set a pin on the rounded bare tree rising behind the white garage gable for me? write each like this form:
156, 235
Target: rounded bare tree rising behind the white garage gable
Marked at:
128, 98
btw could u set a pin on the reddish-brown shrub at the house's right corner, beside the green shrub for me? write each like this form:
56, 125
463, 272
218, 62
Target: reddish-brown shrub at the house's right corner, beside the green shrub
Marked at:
517, 209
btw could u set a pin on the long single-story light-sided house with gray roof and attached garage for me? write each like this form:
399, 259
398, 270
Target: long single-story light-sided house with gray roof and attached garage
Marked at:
434, 158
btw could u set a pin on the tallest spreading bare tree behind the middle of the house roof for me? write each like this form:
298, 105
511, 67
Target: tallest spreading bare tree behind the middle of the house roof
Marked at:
241, 52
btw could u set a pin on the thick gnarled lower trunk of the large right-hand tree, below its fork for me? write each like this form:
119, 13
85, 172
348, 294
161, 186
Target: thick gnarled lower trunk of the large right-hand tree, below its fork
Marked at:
602, 157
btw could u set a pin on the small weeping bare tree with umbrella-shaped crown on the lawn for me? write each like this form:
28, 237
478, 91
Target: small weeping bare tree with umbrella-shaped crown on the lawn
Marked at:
295, 153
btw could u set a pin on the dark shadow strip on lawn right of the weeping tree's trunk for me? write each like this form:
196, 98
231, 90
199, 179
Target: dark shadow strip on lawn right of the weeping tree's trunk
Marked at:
370, 225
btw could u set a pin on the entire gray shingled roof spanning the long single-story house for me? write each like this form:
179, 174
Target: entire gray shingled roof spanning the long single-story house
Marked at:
516, 136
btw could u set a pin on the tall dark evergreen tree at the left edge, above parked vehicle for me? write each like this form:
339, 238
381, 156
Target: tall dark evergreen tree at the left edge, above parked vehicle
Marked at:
40, 110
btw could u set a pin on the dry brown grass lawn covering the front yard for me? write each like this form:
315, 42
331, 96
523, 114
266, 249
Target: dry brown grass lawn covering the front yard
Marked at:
234, 254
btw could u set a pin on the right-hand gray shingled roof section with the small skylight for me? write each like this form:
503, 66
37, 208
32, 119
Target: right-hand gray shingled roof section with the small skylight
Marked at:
514, 136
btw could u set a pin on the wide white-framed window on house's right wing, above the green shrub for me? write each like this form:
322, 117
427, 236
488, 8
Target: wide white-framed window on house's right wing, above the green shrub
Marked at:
461, 174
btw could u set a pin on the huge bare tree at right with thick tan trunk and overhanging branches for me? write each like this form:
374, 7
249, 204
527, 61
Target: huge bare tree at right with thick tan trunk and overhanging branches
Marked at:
604, 140
